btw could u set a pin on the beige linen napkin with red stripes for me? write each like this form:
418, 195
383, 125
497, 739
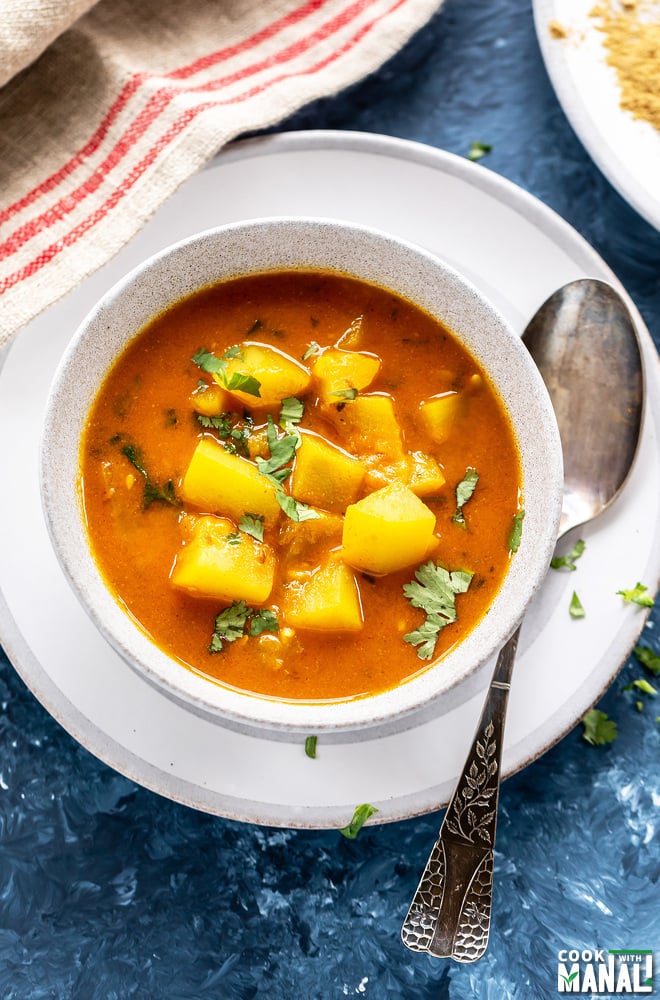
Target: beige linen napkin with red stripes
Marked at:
106, 108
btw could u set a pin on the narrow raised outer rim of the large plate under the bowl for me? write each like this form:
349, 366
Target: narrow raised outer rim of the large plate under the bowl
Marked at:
124, 760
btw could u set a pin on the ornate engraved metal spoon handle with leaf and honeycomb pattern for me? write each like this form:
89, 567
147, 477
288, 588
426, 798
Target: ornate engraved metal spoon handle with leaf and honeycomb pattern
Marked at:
449, 915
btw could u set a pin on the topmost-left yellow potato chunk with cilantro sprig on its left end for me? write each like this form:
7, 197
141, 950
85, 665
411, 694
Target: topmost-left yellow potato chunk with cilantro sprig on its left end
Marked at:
279, 375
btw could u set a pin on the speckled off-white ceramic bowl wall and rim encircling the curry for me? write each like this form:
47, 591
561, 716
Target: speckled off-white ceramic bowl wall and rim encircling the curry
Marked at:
59, 453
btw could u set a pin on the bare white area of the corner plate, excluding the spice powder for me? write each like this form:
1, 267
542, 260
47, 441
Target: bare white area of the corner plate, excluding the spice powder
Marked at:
626, 150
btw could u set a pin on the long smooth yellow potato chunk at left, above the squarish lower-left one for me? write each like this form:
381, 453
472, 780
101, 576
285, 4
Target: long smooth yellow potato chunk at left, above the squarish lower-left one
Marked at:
221, 483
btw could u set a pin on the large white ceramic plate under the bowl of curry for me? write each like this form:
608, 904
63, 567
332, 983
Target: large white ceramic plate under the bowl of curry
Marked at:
522, 251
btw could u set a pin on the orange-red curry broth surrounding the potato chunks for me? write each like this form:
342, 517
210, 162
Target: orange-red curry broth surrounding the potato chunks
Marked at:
145, 403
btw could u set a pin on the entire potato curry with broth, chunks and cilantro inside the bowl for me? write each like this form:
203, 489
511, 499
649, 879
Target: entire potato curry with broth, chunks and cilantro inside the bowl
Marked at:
301, 485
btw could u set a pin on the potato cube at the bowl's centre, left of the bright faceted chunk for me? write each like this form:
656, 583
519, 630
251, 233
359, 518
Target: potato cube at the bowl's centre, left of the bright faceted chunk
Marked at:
324, 475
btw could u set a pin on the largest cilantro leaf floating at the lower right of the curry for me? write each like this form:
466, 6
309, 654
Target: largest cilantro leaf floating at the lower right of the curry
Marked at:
435, 593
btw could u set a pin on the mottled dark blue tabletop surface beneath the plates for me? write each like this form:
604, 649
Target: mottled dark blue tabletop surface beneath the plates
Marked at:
108, 891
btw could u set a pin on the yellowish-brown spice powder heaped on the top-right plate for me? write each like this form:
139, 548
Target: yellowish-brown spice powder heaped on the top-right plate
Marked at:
632, 41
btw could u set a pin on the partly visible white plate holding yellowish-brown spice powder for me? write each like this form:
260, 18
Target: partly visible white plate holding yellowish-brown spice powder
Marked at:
603, 64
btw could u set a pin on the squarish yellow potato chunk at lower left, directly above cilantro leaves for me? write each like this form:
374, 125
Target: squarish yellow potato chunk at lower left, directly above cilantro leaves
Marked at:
220, 562
